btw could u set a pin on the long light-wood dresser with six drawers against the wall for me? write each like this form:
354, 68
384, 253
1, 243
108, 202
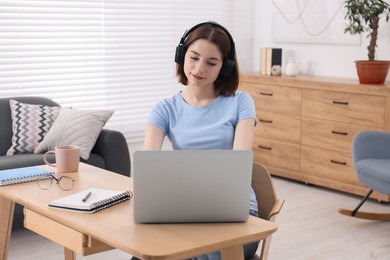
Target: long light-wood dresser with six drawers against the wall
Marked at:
305, 126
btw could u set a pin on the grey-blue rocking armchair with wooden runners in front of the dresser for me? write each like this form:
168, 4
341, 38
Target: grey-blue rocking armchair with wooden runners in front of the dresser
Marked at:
371, 158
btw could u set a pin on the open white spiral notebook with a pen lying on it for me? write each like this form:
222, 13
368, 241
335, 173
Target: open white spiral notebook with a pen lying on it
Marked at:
91, 200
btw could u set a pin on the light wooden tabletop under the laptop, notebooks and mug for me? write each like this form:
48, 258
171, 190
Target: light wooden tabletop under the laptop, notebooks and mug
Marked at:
115, 225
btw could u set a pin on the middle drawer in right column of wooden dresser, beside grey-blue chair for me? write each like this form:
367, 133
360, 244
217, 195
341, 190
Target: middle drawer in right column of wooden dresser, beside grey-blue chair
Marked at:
330, 134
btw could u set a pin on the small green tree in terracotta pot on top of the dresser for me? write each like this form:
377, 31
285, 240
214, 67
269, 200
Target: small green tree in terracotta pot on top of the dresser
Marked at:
363, 17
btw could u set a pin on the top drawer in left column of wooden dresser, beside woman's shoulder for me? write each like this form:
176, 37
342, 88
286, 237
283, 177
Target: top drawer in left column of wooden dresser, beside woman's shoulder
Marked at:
282, 100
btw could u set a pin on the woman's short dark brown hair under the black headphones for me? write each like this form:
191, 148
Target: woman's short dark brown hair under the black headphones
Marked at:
212, 32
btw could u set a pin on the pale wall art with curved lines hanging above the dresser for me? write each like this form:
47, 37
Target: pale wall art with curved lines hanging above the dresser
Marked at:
310, 21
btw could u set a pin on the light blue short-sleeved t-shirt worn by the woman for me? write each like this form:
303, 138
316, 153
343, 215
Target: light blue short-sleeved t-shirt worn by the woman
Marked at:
203, 127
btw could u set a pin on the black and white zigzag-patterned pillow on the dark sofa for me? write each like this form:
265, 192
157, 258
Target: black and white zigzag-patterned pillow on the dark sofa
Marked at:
30, 123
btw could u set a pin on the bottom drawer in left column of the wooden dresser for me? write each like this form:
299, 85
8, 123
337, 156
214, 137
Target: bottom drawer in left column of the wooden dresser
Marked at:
277, 154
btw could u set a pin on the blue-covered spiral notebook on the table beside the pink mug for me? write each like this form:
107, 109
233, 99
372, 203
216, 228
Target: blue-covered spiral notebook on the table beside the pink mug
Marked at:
20, 175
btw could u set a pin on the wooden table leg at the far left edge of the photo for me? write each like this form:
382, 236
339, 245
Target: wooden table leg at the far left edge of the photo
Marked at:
6, 217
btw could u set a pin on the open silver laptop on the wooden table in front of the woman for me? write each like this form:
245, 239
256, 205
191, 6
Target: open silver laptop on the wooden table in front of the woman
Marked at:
185, 186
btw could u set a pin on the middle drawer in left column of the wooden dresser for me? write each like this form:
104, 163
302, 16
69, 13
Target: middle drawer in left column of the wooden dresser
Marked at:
279, 127
